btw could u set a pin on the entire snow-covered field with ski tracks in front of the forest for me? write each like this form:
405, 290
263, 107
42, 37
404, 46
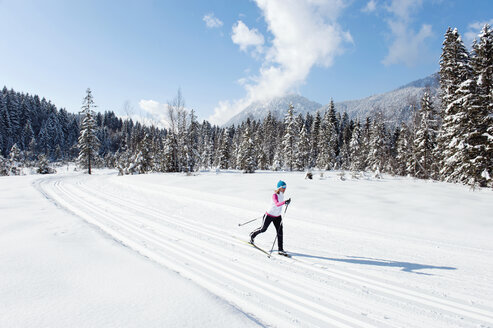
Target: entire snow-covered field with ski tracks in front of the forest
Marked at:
164, 250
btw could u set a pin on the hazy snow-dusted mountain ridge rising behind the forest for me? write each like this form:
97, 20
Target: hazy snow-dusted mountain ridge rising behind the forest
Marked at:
394, 104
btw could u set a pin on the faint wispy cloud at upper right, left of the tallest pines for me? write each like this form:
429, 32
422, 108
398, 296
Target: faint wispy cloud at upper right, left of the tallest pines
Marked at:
407, 45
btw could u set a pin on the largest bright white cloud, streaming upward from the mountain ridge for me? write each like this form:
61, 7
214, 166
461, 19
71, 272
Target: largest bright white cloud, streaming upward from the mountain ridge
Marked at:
304, 33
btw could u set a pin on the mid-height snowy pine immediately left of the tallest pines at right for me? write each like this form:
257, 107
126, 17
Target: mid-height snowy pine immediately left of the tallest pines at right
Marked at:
425, 140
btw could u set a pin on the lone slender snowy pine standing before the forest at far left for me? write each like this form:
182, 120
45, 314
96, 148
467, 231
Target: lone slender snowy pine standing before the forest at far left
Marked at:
88, 142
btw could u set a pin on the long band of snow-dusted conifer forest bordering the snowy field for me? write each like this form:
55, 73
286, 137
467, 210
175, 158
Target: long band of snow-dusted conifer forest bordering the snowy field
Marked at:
452, 142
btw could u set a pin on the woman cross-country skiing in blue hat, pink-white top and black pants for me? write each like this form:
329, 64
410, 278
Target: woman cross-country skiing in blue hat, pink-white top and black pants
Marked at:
273, 214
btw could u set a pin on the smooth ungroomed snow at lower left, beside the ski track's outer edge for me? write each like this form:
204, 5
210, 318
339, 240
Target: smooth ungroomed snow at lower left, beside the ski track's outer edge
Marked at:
56, 270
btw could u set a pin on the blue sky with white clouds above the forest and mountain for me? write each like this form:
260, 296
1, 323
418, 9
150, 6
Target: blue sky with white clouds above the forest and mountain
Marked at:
223, 54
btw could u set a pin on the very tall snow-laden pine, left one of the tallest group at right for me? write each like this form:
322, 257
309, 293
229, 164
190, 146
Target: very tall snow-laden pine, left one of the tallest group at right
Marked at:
454, 71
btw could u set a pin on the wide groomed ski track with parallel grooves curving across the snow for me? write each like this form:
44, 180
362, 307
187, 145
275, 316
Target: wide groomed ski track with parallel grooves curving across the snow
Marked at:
277, 291
